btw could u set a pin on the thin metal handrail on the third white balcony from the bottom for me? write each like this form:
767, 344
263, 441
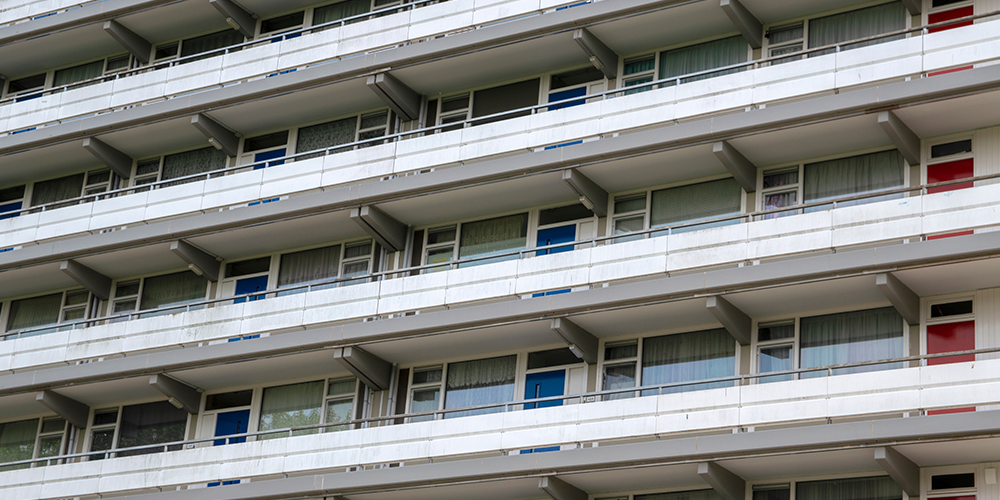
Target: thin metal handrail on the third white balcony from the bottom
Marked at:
398, 136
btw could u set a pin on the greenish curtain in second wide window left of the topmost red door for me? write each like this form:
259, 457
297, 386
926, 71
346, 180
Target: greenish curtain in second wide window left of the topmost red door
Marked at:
703, 57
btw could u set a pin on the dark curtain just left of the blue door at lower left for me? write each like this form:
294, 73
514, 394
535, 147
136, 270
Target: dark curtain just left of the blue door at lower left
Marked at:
150, 423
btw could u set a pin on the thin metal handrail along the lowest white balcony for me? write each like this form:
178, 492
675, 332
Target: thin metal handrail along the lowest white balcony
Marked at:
595, 396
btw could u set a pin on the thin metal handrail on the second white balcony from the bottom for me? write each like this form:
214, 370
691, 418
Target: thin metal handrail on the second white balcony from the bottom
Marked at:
454, 264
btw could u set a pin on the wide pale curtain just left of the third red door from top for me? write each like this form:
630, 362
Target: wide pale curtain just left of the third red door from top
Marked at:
849, 338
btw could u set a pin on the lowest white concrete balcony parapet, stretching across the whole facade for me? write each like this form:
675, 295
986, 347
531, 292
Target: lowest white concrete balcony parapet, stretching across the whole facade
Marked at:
571, 426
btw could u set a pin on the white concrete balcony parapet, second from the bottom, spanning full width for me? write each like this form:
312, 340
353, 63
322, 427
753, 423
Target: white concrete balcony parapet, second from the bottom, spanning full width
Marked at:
842, 228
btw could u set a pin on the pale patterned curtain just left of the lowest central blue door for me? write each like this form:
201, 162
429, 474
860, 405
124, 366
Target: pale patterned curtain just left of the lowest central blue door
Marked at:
479, 382
